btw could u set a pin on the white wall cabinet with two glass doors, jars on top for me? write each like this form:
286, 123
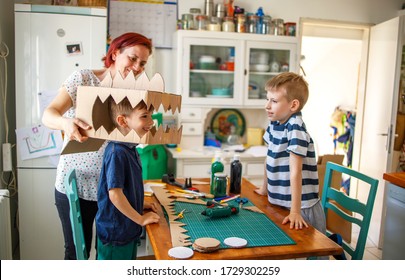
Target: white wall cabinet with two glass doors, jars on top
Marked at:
220, 69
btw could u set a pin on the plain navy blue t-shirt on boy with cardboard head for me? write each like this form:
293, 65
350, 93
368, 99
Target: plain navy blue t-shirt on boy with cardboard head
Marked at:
121, 169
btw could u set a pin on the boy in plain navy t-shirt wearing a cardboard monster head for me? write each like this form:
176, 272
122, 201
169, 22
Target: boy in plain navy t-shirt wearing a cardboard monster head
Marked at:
120, 216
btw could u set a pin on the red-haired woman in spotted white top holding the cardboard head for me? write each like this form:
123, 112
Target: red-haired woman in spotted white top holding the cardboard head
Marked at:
128, 52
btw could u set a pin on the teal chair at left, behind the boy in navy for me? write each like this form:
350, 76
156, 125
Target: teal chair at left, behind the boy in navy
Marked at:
75, 215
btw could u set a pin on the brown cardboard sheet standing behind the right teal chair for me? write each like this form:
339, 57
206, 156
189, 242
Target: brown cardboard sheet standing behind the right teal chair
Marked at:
334, 223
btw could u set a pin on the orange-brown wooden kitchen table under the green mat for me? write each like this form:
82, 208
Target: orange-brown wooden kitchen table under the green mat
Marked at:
309, 241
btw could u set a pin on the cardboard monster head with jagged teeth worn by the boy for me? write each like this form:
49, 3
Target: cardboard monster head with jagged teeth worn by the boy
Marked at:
92, 108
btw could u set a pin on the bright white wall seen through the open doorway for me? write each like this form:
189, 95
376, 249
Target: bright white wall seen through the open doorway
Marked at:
331, 67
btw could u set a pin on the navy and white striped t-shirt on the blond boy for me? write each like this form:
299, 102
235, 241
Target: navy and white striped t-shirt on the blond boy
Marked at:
283, 139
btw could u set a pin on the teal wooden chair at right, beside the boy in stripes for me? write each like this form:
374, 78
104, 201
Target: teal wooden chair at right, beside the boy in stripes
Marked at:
335, 200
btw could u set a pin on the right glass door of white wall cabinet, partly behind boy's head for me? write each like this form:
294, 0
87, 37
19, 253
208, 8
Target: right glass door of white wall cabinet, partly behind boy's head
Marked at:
265, 60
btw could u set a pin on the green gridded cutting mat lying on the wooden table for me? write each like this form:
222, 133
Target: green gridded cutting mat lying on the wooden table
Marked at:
256, 228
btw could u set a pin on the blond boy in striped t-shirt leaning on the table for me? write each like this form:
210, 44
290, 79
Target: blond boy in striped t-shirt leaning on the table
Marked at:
291, 167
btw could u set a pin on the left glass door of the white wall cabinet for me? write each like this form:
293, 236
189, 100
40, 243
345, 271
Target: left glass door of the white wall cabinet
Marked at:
211, 72
